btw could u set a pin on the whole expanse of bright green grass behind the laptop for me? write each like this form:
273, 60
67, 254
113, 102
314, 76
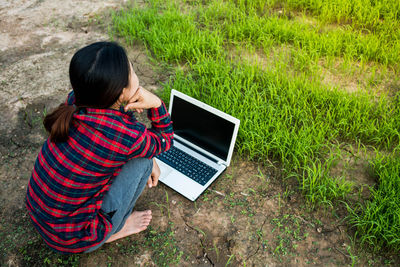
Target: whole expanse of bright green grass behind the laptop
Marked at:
288, 116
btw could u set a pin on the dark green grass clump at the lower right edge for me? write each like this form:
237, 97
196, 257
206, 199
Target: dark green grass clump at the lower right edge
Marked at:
378, 220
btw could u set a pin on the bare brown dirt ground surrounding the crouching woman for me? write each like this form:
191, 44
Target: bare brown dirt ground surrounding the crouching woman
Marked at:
246, 218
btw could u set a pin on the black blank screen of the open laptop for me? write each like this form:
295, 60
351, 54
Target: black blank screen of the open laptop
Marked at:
202, 128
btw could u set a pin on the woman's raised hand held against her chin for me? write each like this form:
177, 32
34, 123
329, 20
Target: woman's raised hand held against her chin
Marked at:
143, 99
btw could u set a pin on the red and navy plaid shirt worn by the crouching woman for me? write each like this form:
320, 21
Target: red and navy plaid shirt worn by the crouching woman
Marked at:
69, 179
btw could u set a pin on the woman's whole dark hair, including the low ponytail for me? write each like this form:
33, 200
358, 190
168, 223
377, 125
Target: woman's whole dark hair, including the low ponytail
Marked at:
98, 74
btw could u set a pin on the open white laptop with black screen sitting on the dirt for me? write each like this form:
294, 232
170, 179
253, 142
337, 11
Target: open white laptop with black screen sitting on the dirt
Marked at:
204, 138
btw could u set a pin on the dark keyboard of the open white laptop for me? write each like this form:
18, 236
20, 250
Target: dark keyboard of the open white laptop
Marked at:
188, 165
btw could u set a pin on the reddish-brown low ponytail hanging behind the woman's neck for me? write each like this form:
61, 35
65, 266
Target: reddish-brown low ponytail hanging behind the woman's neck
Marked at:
57, 123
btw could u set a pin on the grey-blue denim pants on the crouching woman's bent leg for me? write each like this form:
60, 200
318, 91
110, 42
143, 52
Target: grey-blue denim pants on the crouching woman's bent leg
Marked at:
123, 193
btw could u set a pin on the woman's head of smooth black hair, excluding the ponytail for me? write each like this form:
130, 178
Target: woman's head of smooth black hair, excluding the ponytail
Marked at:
98, 73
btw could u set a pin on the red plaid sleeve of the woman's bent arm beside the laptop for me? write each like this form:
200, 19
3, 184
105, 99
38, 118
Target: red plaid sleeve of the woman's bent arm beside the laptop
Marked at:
157, 139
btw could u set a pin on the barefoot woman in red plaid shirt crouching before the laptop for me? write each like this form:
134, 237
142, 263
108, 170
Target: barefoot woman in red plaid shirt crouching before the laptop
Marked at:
98, 158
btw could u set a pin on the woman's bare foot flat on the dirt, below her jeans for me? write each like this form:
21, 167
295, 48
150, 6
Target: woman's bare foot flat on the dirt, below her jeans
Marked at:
136, 222
